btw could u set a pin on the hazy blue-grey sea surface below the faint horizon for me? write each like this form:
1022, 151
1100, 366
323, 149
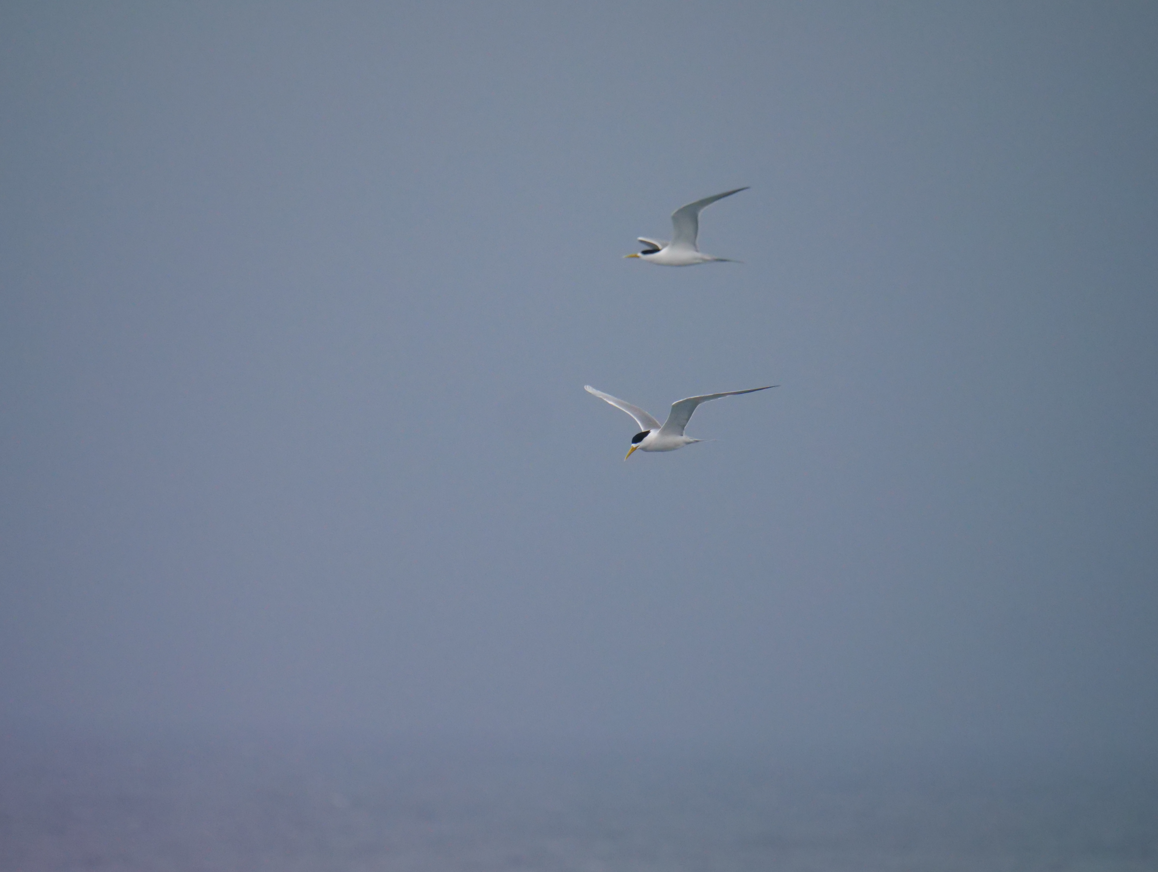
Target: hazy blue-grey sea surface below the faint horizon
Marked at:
155, 805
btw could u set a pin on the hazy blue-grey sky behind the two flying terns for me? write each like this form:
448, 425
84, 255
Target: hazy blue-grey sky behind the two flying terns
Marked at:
301, 301
